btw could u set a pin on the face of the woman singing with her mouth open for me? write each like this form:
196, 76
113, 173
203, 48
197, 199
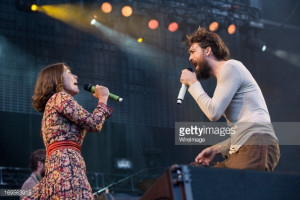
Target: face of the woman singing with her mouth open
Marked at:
70, 82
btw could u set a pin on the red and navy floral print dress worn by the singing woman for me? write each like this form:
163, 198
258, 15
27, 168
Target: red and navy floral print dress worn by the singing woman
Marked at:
65, 120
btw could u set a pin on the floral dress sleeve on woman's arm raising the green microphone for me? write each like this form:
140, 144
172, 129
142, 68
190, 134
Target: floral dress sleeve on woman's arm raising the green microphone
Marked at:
92, 122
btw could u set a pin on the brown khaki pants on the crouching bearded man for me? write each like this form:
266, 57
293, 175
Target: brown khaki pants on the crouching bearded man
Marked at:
260, 152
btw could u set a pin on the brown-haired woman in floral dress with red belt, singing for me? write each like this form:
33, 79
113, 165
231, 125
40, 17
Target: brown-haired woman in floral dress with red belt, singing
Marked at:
64, 126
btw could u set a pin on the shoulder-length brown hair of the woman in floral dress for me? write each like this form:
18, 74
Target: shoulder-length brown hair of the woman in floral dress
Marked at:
49, 82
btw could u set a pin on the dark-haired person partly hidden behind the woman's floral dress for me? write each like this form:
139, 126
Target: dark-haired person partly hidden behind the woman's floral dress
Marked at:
37, 166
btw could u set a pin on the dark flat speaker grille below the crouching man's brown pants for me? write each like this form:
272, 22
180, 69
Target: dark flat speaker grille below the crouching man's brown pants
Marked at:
214, 183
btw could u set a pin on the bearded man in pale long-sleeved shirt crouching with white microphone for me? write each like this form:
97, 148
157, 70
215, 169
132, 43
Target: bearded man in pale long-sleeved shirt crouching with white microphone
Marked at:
238, 98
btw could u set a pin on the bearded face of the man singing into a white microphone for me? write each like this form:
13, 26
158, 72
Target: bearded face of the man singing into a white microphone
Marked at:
197, 58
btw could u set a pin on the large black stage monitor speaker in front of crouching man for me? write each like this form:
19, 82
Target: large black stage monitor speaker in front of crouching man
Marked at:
186, 183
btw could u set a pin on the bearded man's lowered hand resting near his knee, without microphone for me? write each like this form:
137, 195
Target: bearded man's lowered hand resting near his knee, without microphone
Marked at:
207, 155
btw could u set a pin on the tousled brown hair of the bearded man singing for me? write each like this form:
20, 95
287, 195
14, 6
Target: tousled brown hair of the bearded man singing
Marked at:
206, 39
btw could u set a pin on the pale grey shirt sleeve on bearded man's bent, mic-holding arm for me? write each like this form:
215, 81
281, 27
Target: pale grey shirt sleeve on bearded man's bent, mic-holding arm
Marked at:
228, 82
